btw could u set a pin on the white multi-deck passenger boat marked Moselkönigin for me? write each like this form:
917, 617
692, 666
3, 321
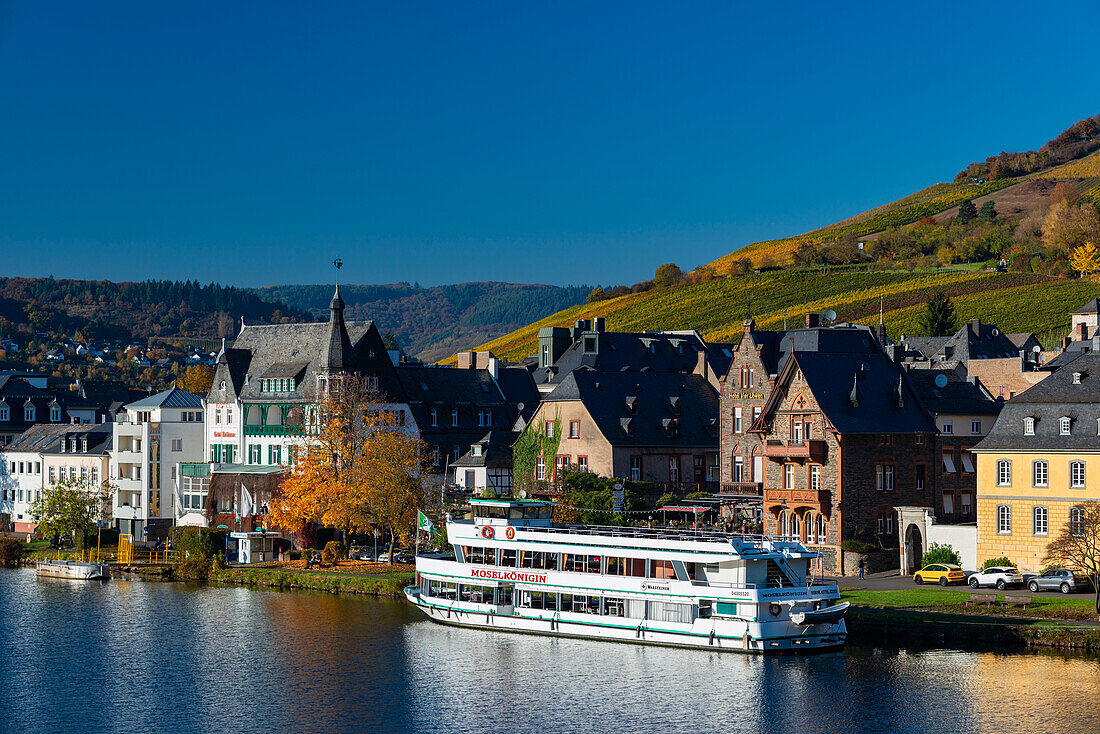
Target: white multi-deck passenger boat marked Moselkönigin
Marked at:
515, 571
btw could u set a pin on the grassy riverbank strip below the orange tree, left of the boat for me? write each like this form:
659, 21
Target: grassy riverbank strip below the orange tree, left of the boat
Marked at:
389, 585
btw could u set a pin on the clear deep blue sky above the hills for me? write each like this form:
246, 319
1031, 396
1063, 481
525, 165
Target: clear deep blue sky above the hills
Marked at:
252, 143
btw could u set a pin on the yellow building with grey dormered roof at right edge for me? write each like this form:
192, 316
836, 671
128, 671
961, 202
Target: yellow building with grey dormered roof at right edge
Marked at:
1040, 464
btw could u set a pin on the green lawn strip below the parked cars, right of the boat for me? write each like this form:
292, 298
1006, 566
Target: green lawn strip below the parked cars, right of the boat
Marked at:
950, 601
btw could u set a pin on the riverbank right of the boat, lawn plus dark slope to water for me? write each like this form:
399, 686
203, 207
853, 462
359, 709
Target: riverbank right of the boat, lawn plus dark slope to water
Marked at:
941, 617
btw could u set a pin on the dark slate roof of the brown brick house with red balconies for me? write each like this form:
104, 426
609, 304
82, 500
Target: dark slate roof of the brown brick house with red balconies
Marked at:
833, 378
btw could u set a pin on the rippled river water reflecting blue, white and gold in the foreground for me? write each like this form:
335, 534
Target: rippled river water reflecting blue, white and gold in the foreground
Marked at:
150, 658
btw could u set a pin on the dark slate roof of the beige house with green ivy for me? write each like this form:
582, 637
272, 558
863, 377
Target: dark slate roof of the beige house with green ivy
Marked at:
607, 397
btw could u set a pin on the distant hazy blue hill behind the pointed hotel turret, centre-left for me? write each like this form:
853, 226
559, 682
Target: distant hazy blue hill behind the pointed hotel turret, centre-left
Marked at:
437, 322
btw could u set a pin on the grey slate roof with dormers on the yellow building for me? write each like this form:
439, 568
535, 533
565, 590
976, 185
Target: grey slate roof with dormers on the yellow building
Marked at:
1047, 402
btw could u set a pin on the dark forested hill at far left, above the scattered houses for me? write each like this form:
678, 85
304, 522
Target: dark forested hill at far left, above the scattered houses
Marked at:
104, 310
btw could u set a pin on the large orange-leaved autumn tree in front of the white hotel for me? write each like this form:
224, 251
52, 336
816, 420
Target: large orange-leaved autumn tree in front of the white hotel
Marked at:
359, 470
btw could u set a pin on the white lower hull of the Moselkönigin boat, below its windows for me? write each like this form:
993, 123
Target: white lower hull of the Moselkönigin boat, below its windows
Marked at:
713, 634
